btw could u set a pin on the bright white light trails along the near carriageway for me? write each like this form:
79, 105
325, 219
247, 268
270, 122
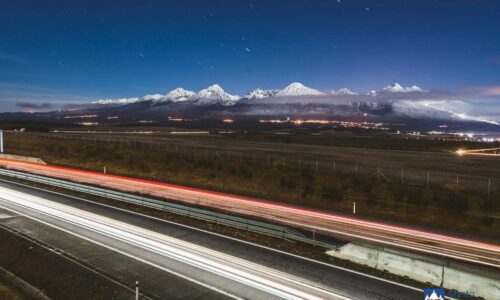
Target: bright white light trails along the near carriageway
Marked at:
270, 281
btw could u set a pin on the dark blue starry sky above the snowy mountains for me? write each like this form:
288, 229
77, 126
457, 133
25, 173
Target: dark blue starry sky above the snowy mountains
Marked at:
64, 51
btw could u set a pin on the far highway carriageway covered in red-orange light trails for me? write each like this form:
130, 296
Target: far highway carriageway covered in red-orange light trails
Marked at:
322, 222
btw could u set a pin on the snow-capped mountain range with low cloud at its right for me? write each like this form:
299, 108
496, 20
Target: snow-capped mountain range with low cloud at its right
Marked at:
392, 103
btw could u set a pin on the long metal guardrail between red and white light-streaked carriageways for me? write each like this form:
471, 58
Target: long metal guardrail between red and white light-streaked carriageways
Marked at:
274, 230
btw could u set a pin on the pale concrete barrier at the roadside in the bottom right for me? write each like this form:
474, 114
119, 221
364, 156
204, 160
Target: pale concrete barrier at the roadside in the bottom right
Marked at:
439, 272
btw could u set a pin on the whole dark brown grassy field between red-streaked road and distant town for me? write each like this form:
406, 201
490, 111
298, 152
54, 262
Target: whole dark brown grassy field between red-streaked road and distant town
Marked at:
441, 205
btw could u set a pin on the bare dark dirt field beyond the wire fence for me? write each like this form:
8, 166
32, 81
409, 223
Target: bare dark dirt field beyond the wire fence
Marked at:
441, 166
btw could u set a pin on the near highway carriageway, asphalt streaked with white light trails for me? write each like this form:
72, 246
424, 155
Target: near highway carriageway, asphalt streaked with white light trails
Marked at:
224, 266
